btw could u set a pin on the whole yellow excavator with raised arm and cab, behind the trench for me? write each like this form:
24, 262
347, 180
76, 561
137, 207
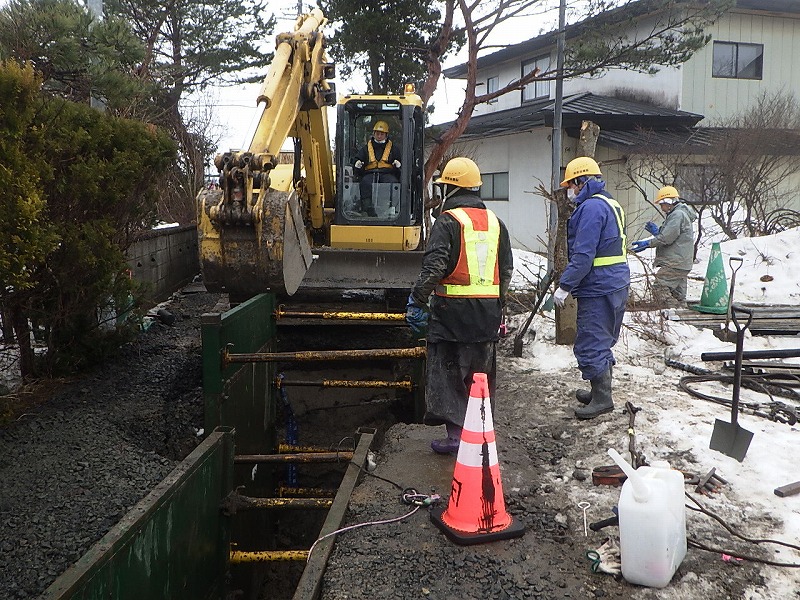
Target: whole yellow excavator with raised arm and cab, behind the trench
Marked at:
278, 228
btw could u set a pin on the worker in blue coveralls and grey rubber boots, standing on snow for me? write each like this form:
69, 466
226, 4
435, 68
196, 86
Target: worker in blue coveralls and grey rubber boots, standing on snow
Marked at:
598, 277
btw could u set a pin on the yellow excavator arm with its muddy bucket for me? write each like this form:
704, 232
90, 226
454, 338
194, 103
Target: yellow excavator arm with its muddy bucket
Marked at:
254, 232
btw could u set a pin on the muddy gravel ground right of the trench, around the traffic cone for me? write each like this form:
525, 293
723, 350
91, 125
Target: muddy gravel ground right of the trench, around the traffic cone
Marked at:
546, 457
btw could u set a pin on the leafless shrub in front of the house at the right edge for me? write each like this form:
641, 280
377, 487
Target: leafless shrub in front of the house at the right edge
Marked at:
742, 174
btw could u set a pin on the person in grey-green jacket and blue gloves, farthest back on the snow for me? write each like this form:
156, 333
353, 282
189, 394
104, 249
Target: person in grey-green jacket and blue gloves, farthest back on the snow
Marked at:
674, 244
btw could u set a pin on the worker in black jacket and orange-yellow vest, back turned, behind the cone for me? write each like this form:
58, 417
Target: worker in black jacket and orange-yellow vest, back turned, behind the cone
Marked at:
466, 271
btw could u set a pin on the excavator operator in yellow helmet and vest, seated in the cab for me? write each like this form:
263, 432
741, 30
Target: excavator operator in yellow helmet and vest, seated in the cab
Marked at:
378, 161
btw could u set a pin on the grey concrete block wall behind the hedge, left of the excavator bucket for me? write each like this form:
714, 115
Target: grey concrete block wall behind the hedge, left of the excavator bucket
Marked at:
166, 259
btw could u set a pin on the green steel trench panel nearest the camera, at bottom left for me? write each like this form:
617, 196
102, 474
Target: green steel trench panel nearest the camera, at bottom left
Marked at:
172, 545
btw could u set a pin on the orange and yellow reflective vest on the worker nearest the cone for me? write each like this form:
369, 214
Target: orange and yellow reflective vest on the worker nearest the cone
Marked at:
477, 273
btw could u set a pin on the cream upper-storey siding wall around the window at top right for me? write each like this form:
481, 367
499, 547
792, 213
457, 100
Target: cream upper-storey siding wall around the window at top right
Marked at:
719, 98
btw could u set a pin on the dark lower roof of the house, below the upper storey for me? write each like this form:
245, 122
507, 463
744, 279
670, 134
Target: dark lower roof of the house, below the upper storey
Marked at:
609, 113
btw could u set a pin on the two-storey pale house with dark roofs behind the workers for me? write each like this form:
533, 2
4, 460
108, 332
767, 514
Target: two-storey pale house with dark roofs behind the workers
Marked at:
681, 110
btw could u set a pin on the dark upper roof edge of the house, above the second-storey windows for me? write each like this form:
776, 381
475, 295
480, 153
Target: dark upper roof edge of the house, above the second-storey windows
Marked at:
547, 40
